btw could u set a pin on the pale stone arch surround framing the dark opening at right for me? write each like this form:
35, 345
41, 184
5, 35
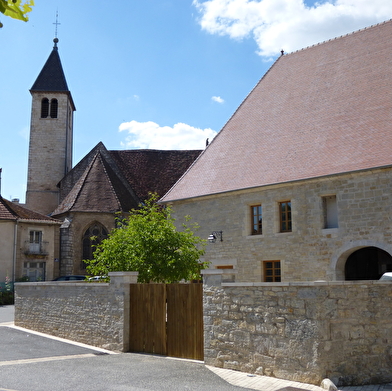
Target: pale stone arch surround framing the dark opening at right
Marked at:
339, 259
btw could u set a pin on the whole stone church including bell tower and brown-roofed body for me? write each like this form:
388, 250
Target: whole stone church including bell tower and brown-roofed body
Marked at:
88, 197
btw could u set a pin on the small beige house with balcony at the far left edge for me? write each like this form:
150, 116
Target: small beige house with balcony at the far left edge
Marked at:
29, 243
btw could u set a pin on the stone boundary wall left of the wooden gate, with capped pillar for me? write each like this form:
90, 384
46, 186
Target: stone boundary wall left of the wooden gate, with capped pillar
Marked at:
93, 313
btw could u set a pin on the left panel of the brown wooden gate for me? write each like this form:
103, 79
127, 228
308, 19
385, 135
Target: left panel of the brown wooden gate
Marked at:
148, 318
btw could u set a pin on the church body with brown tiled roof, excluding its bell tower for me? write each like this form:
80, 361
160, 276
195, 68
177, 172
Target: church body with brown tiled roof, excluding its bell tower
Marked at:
107, 183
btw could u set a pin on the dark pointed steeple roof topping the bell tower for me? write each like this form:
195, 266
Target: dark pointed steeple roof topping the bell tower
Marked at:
52, 78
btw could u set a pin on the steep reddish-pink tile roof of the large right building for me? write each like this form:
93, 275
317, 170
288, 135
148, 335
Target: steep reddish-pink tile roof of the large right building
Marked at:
320, 111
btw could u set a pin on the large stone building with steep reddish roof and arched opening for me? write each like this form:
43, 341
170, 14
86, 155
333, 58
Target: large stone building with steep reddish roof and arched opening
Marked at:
297, 185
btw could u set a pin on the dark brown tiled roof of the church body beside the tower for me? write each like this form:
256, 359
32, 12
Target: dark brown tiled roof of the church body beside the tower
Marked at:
111, 181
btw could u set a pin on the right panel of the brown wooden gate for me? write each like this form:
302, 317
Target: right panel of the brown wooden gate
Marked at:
185, 321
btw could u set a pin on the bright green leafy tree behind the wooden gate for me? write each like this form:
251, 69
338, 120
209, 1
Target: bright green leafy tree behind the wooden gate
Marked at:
148, 242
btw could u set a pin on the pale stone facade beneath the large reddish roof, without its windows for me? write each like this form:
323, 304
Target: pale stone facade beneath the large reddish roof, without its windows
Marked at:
310, 251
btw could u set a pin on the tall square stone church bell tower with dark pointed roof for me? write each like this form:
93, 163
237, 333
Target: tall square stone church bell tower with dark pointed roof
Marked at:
51, 132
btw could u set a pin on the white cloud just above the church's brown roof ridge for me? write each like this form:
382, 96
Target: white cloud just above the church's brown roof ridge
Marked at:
149, 135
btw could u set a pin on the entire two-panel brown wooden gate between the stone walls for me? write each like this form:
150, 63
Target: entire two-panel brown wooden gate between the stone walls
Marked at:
167, 319
